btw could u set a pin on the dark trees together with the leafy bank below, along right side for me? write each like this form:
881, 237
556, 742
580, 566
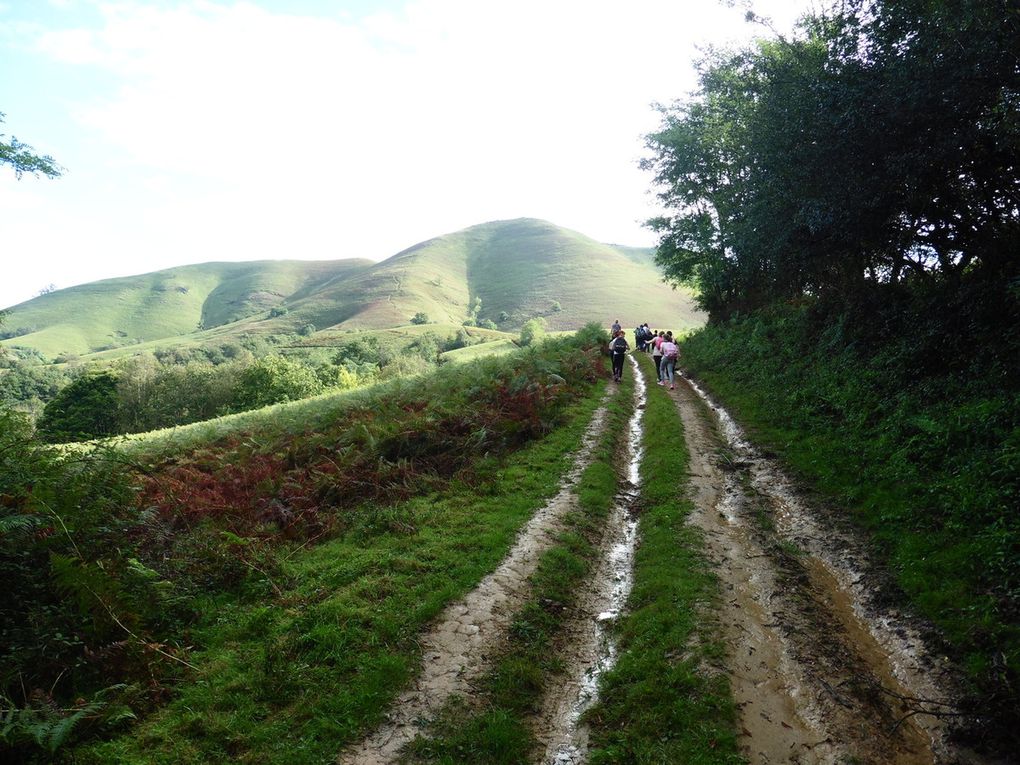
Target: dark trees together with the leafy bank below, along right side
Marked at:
847, 202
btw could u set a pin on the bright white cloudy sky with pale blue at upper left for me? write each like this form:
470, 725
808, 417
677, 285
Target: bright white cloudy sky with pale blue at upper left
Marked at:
194, 131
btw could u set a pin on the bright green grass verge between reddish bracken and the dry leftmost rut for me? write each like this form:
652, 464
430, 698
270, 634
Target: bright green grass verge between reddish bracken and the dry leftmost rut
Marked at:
293, 681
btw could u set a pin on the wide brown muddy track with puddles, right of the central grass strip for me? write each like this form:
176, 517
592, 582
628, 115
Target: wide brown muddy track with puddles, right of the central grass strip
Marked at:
822, 671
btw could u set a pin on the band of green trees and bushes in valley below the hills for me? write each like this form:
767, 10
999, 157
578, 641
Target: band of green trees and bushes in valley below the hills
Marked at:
176, 387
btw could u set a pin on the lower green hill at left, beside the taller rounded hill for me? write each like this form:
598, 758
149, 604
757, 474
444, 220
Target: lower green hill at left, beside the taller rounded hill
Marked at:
163, 304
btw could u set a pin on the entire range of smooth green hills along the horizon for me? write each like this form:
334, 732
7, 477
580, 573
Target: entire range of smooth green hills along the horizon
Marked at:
518, 270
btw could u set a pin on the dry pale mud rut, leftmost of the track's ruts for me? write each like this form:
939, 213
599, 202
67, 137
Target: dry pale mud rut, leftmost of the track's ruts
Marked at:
458, 649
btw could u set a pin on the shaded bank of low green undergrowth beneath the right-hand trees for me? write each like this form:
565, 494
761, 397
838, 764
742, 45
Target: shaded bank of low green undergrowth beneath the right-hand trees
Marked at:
909, 415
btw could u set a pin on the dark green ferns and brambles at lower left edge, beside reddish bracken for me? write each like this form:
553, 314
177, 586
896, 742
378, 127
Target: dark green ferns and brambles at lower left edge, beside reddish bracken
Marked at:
76, 609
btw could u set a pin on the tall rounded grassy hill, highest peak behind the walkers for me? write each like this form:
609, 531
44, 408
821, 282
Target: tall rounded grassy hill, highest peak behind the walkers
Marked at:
522, 268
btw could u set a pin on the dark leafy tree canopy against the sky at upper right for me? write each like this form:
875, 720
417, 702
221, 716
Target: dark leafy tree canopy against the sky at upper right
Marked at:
881, 146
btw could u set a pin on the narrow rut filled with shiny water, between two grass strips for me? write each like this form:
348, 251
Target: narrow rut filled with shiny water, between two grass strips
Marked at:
590, 647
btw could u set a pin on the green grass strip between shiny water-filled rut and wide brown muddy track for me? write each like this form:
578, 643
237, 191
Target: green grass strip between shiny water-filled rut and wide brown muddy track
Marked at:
661, 704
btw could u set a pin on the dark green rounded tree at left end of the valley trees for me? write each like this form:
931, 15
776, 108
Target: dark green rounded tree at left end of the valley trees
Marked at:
84, 410
